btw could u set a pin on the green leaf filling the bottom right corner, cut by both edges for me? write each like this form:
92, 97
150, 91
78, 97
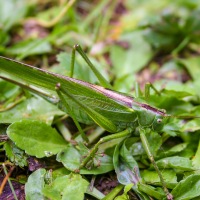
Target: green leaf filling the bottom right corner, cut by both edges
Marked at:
187, 188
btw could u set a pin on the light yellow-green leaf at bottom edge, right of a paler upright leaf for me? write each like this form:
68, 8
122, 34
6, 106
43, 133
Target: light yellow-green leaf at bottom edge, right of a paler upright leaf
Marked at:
67, 187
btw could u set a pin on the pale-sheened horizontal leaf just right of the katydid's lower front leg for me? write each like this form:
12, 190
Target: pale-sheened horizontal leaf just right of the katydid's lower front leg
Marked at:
175, 162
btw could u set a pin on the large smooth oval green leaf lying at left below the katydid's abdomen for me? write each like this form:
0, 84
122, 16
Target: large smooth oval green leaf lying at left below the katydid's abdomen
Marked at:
36, 138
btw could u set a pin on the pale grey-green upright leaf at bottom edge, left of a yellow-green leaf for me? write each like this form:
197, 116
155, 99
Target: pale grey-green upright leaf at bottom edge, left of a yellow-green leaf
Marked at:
35, 185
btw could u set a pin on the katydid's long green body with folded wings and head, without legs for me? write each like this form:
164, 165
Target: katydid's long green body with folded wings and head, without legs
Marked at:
123, 110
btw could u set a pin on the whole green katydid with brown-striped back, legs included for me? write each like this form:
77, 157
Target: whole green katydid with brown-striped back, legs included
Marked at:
87, 103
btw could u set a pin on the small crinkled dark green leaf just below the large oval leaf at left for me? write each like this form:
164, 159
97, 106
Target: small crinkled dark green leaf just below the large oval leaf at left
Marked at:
14, 154
